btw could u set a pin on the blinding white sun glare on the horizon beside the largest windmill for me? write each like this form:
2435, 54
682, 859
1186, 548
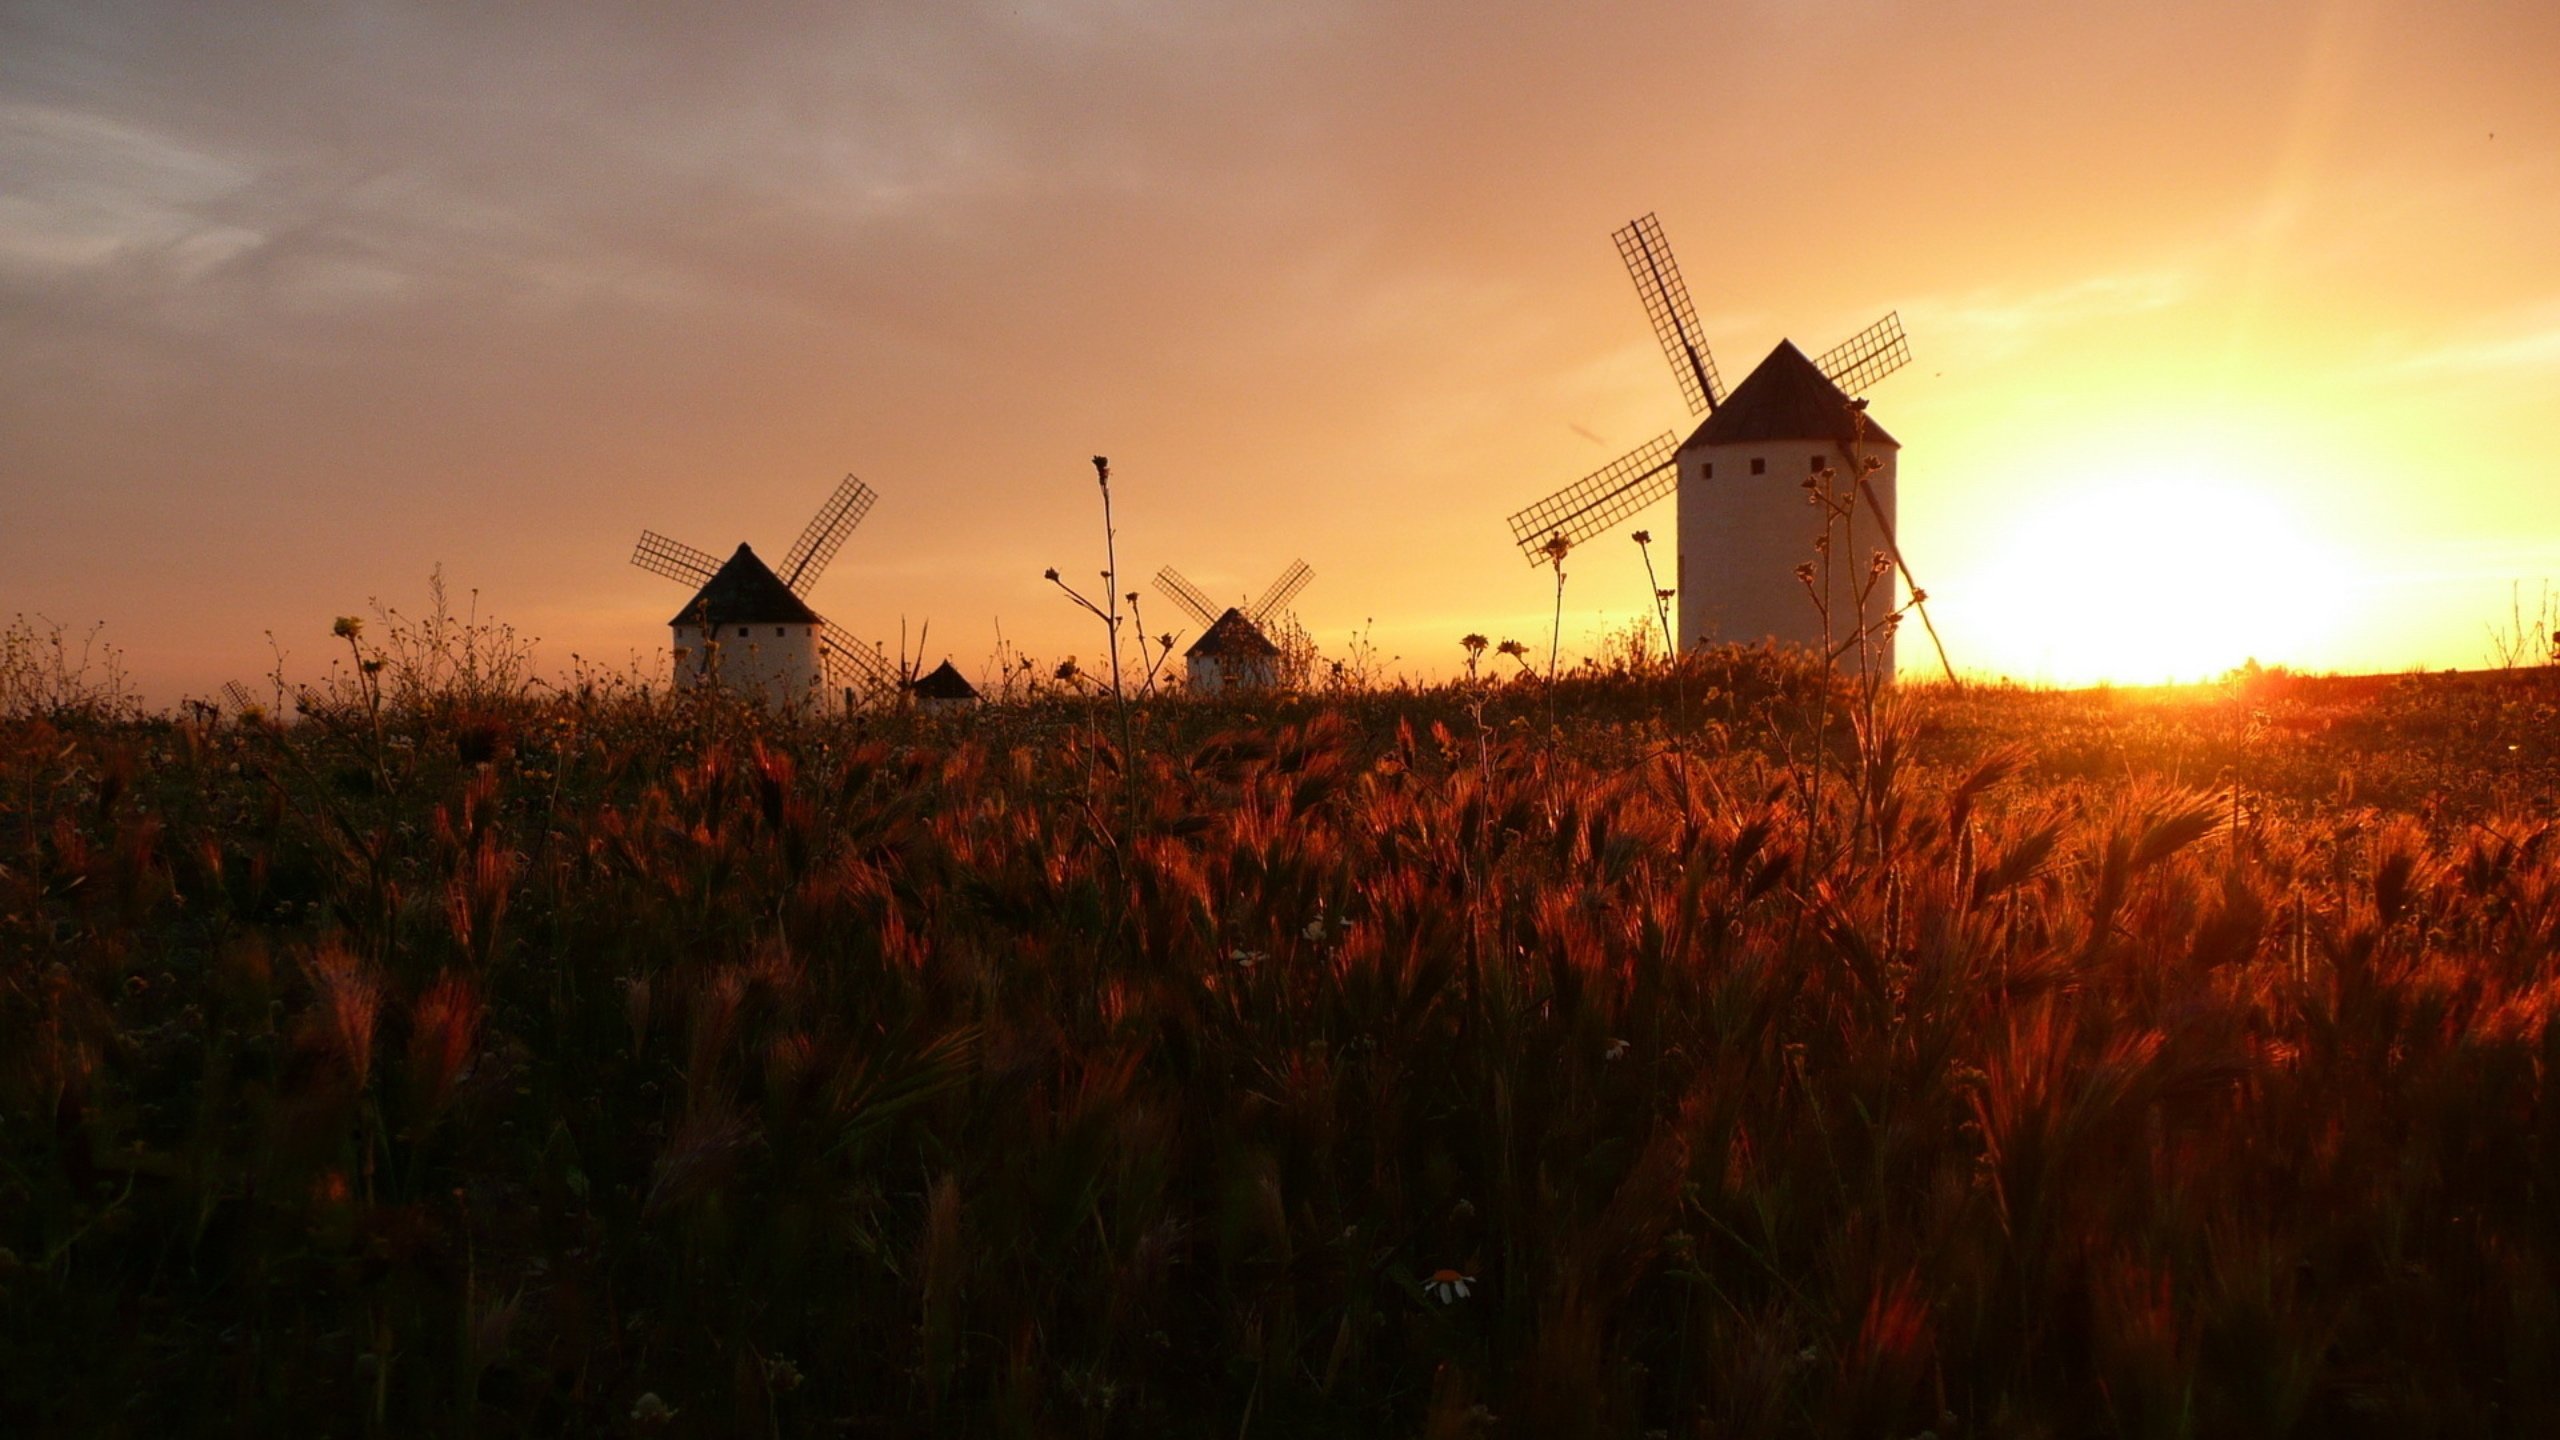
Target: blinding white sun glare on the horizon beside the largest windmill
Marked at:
2162, 570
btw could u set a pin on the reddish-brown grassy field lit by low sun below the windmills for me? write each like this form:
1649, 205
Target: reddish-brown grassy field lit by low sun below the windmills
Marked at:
1988, 1065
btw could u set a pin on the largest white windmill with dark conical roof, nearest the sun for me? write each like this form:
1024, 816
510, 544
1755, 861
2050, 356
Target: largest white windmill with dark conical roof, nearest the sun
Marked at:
1780, 473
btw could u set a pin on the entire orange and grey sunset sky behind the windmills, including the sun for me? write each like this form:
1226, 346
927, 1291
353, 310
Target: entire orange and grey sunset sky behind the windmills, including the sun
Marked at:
2236, 327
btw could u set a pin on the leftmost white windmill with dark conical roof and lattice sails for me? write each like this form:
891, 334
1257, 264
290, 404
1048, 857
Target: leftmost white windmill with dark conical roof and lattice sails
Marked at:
749, 626
